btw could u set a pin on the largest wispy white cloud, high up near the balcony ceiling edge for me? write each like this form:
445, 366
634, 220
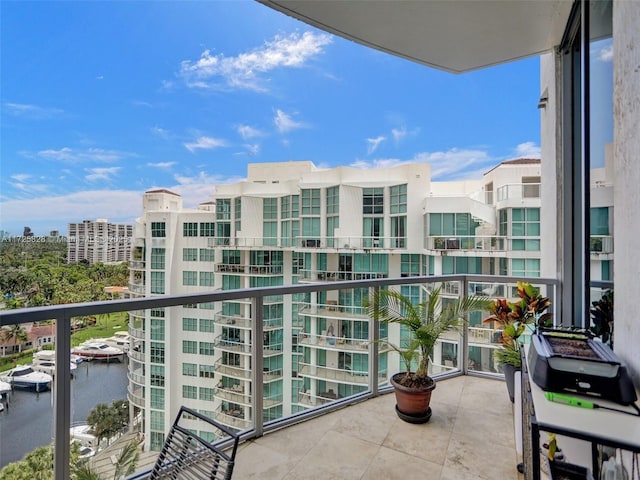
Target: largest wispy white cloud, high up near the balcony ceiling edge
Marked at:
246, 69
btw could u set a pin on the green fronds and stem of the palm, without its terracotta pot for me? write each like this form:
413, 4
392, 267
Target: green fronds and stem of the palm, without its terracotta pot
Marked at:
426, 321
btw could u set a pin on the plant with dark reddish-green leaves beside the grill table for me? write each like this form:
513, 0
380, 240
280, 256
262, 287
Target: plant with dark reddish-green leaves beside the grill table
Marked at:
513, 318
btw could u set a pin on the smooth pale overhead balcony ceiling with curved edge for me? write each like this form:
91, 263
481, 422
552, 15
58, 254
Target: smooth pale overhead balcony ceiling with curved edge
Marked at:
454, 35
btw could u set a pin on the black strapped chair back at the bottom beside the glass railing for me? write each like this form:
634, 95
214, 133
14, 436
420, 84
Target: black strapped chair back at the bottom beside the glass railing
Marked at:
185, 455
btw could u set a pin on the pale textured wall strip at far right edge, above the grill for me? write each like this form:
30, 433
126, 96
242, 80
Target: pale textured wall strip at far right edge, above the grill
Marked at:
626, 108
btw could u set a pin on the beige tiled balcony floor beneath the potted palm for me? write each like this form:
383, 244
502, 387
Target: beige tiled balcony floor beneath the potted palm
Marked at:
469, 437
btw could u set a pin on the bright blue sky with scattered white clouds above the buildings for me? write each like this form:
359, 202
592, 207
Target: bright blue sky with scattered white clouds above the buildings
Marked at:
101, 101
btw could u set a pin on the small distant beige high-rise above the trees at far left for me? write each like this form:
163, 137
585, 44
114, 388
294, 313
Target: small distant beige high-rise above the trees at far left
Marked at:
99, 241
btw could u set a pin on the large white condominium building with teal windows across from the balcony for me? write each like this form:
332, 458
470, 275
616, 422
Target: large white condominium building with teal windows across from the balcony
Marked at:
292, 223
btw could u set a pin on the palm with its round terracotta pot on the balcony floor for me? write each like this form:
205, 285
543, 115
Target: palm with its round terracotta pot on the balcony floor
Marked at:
425, 321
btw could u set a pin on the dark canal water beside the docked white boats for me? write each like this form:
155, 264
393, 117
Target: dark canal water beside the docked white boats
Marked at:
28, 421
